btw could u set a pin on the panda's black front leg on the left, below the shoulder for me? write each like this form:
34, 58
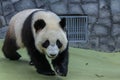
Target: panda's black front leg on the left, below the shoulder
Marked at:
40, 62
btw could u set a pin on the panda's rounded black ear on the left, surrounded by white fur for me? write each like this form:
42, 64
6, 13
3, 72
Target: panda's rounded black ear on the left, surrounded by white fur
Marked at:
39, 24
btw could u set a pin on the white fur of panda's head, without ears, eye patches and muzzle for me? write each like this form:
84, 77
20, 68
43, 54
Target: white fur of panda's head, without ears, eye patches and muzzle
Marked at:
52, 30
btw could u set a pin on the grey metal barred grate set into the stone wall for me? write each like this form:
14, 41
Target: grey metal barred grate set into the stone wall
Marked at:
76, 28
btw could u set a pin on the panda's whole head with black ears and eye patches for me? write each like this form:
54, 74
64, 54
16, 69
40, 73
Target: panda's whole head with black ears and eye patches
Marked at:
49, 35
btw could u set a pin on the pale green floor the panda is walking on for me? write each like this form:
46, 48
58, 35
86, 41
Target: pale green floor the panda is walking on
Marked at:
83, 65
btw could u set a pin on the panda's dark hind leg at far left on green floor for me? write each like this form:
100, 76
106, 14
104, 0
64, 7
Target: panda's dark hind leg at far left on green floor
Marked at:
9, 49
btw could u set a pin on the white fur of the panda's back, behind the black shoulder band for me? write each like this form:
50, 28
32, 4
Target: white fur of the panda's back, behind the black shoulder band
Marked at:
16, 25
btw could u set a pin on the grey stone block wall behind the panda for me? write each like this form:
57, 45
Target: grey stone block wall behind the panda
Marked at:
104, 18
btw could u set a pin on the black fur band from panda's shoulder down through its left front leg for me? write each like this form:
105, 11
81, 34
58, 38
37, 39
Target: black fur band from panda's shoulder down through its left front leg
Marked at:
37, 57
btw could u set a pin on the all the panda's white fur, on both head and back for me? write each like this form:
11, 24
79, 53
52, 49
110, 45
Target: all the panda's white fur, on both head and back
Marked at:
52, 30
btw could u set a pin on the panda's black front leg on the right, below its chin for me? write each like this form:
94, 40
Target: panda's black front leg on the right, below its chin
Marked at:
60, 64
